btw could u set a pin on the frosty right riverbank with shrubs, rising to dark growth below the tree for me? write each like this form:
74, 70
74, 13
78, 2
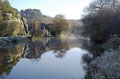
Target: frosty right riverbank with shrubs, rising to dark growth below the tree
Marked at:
107, 66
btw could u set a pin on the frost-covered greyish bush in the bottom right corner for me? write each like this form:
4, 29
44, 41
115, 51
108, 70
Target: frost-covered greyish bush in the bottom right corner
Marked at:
107, 66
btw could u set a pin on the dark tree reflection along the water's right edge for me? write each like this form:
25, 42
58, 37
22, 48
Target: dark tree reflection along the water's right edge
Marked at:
94, 50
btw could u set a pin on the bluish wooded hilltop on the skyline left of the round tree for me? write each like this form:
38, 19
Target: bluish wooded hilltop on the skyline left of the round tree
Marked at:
35, 14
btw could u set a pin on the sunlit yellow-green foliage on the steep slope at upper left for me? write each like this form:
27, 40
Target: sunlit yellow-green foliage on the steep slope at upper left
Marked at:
9, 26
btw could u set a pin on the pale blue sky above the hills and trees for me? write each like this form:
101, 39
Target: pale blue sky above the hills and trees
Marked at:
72, 9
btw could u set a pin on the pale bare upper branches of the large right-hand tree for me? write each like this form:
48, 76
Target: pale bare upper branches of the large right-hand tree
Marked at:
97, 5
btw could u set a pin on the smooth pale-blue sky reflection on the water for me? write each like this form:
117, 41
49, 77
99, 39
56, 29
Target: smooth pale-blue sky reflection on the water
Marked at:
50, 67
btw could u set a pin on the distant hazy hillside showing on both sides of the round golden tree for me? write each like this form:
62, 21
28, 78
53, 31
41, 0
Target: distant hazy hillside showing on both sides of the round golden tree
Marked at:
36, 14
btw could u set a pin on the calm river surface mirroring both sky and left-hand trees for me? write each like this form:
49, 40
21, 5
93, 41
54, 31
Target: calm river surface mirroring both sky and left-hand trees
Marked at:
43, 59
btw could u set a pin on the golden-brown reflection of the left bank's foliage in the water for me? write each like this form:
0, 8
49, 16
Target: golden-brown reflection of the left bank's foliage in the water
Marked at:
8, 59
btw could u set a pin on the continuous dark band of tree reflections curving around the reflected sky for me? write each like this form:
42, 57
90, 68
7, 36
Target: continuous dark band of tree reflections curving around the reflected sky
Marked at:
10, 55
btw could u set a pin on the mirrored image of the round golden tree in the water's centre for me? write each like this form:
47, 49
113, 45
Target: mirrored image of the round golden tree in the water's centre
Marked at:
59, 46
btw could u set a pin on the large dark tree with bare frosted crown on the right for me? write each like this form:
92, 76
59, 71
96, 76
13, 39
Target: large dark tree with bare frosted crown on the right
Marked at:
102, 20
